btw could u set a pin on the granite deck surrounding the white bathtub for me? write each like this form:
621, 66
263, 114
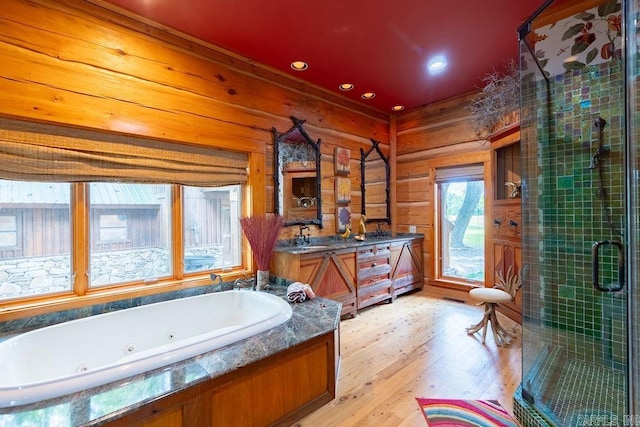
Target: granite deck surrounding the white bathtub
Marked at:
105, 403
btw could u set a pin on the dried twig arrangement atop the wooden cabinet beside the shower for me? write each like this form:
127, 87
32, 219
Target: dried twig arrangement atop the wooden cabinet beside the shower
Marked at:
498, 104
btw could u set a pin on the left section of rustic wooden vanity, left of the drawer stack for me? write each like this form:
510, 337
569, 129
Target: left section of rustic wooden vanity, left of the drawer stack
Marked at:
331, 274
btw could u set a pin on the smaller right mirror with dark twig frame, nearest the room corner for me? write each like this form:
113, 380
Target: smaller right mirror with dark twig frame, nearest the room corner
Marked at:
374, 185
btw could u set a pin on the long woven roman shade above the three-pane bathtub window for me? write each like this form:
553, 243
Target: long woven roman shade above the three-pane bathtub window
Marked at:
38, 152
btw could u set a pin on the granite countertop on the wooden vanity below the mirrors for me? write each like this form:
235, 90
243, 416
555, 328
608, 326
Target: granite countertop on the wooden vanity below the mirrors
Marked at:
319, 244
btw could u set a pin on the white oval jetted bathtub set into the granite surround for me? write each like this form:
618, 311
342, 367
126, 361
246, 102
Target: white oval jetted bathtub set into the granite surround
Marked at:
80, 354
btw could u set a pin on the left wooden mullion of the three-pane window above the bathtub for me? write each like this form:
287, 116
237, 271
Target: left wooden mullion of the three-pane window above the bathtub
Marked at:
80, 237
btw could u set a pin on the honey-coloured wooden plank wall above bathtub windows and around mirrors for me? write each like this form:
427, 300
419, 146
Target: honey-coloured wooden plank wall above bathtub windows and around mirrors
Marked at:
87, 64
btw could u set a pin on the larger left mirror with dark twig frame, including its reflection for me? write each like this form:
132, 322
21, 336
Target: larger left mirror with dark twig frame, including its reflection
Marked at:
296, 176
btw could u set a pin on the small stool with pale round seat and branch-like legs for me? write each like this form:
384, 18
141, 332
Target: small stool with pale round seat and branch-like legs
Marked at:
490, 297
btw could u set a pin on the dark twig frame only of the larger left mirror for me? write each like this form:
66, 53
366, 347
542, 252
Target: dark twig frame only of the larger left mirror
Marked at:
278, 140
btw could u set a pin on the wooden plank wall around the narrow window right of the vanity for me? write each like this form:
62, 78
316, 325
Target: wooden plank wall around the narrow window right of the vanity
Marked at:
435, 135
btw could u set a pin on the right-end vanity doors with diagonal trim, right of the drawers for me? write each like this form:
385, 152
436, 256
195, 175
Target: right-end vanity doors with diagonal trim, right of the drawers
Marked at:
407, 266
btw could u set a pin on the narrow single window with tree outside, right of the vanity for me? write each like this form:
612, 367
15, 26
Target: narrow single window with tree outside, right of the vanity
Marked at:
460, 226
